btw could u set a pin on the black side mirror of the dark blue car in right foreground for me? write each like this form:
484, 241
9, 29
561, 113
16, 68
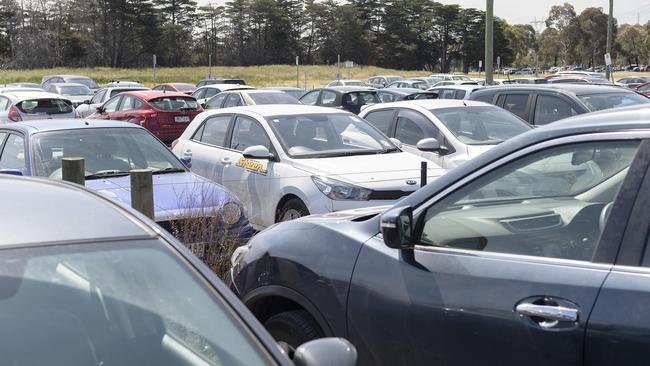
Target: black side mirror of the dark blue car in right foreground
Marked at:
397, 227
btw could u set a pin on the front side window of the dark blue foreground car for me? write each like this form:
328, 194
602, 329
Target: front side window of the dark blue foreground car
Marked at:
549, 204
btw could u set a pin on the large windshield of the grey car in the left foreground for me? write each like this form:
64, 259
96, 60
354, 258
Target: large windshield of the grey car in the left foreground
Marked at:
115, 303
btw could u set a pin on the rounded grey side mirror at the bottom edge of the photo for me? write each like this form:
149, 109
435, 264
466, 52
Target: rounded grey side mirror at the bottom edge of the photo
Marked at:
326, 351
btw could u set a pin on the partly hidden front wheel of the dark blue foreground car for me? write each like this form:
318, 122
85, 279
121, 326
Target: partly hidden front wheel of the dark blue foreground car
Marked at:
293, 328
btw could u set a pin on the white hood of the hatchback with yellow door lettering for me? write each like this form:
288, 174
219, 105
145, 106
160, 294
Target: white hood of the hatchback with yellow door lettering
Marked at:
385, 171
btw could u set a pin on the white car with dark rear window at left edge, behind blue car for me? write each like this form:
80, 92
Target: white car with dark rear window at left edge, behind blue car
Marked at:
21, 105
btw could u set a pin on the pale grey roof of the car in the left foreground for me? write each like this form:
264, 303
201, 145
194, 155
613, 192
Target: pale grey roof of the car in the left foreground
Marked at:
61, 212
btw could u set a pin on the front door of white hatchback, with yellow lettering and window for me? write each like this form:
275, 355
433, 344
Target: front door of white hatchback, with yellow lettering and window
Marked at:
247, 178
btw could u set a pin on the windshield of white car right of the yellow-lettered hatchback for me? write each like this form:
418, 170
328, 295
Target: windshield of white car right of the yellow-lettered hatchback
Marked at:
481, 125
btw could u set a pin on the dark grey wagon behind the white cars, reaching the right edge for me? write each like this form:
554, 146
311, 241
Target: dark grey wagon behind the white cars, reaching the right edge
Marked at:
542, 104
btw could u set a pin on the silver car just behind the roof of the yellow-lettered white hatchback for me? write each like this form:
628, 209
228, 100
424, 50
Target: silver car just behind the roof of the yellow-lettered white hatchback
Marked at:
235, 98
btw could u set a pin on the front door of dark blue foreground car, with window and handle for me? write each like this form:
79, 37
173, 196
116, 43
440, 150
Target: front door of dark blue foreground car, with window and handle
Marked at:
507, 262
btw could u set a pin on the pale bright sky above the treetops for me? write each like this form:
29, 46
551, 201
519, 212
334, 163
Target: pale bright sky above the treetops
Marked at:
527, 11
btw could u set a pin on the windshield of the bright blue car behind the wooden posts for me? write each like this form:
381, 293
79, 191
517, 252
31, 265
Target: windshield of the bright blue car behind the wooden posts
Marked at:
106, 151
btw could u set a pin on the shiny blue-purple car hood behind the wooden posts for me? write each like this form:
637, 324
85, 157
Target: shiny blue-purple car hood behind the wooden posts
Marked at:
176, 195
